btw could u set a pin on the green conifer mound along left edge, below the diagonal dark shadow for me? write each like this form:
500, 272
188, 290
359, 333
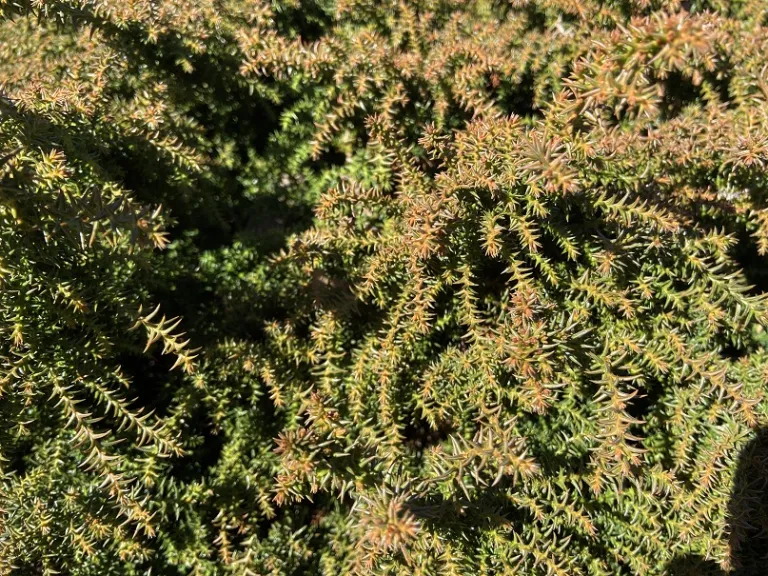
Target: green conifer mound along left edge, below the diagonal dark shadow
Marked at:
72, 241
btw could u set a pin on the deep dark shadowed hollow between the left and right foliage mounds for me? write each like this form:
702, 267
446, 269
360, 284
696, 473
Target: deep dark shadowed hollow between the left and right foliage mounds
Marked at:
225, 226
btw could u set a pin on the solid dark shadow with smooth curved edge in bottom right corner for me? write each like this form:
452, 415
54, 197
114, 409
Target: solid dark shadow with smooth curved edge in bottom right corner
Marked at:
747, 519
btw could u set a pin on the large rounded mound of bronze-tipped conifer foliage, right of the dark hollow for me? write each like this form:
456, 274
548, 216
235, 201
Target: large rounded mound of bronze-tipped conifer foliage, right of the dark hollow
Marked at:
530, 289
